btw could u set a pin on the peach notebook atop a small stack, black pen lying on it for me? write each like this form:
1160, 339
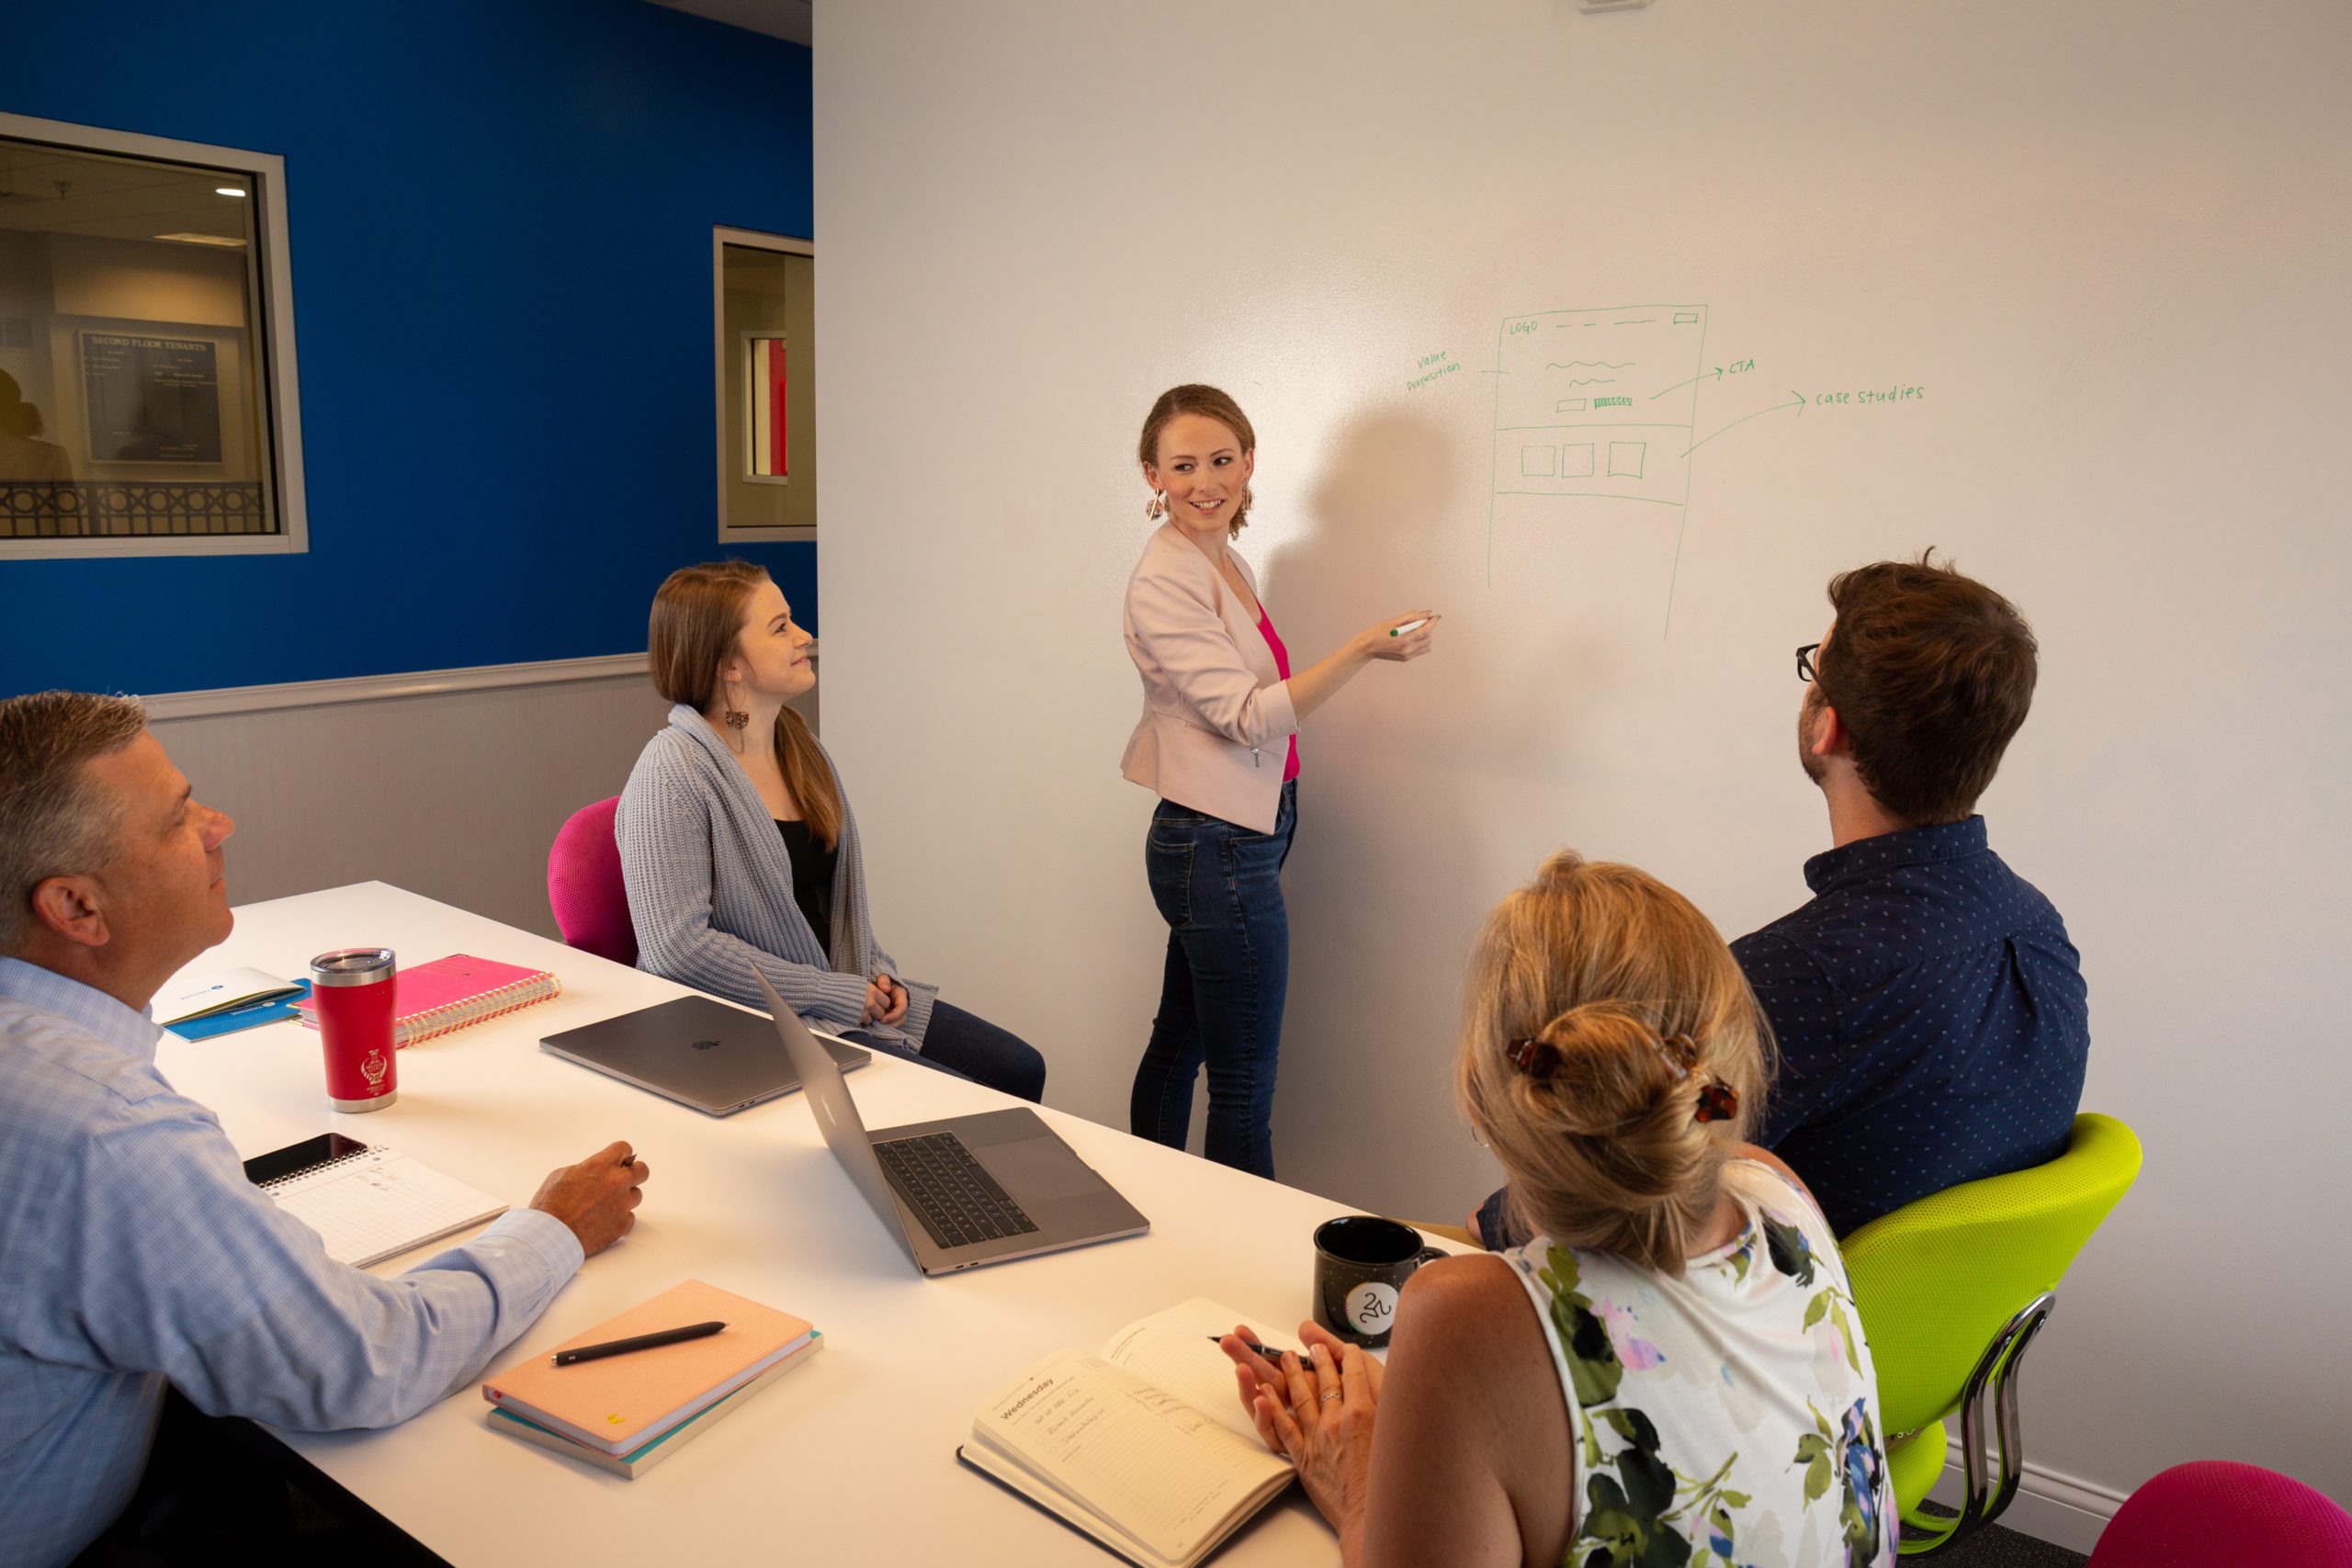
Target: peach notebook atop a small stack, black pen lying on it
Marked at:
627, 1402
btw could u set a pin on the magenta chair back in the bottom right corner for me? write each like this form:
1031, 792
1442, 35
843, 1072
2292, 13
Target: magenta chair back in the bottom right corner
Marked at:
2221, 1515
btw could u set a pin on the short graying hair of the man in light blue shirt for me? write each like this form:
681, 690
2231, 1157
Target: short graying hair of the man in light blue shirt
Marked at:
53, 822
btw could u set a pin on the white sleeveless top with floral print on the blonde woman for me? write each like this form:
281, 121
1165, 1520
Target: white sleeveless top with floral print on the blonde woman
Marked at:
1730, 1416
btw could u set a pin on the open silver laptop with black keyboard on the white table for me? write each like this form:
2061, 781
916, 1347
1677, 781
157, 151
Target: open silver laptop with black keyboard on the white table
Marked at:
965, 1191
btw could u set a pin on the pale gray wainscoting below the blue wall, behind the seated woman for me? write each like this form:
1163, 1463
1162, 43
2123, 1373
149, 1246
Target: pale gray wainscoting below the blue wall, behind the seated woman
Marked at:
446, 782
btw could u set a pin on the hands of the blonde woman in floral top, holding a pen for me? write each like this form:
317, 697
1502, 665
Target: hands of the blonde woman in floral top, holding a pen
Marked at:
1318, 1412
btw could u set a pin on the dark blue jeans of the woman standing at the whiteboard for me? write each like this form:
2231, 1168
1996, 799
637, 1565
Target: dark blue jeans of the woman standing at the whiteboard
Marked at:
1220, 890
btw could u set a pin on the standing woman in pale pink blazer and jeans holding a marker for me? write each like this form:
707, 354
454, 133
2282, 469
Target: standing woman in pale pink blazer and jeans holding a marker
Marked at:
1220, 746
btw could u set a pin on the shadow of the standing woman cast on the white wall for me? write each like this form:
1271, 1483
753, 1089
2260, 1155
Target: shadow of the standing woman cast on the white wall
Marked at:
1377, 892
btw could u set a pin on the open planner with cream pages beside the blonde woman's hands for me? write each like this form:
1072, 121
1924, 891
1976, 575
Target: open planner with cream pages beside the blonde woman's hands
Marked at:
1144, 1449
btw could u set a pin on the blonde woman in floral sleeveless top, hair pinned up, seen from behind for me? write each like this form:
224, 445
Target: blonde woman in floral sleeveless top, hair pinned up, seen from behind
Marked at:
1671, 1372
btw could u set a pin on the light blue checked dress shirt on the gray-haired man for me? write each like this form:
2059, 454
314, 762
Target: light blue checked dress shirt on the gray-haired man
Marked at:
135, 1252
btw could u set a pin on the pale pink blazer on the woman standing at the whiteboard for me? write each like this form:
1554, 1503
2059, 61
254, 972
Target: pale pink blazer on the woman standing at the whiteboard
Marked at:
1215, 711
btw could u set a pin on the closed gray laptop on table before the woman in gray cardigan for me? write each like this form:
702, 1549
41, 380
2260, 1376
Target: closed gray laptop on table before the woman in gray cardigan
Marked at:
697, 1052
